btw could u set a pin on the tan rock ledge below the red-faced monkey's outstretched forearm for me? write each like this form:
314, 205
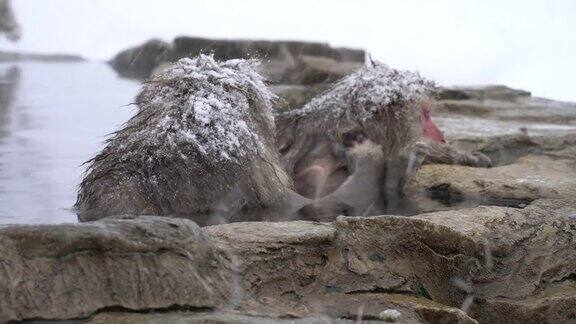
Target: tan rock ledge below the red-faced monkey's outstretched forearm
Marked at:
531, 177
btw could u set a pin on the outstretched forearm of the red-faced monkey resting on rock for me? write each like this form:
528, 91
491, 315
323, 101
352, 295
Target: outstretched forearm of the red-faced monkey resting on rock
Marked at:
440, 153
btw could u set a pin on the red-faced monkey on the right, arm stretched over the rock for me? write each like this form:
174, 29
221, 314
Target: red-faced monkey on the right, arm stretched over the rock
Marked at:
374, 105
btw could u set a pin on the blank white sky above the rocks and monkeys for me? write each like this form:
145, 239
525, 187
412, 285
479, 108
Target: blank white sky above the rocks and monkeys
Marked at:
526, 44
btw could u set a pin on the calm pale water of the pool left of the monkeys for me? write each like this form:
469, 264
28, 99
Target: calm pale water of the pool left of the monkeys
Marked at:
53, 117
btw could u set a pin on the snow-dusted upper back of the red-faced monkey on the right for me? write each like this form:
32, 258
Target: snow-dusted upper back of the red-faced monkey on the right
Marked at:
379, 101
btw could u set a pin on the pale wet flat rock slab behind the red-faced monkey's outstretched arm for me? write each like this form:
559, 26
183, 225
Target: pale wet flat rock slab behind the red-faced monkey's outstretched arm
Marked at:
497, 120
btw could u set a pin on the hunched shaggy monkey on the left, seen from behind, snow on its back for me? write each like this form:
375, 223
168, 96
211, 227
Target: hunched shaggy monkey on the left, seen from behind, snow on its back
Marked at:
201, 142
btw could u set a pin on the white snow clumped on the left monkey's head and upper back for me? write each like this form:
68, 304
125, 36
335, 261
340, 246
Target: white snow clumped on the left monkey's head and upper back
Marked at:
206, 104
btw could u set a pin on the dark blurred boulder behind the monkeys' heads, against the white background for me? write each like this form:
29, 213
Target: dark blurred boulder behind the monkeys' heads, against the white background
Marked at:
280, 57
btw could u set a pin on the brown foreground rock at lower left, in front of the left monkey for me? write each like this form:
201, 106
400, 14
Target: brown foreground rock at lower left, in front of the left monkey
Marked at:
73, 271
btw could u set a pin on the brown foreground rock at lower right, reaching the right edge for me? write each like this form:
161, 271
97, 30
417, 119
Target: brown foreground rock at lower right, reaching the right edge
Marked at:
496, 257
